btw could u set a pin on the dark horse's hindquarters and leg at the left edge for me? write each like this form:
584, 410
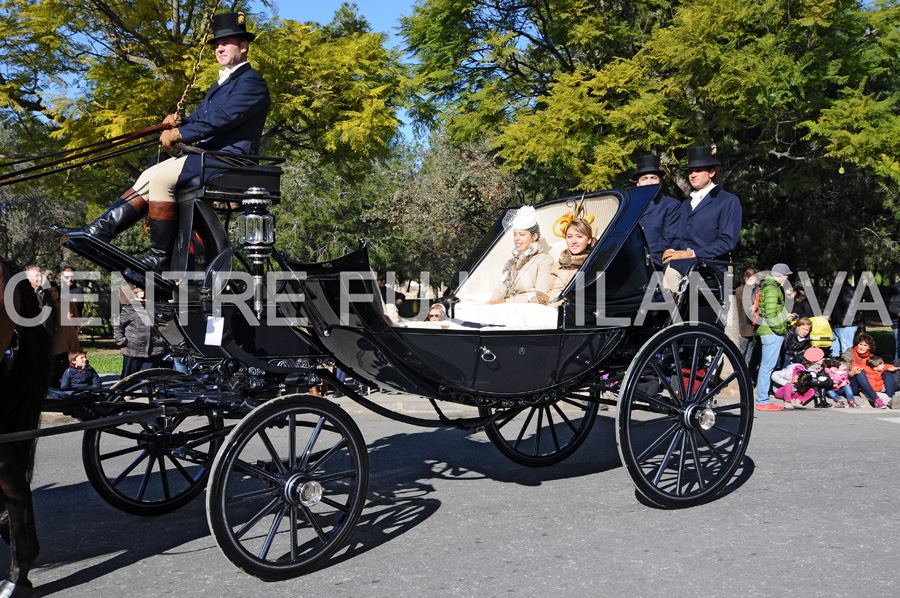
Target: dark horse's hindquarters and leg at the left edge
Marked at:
25, 368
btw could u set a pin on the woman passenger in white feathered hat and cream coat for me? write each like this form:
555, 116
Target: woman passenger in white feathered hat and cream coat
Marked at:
525, 277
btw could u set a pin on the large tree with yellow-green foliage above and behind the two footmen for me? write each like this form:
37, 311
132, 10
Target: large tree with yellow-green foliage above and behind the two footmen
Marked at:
800, 97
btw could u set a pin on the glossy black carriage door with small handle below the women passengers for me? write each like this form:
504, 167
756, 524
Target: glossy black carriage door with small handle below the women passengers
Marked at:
517, 362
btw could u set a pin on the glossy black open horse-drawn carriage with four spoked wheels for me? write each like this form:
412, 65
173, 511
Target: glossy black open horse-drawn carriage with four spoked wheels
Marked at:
286, 473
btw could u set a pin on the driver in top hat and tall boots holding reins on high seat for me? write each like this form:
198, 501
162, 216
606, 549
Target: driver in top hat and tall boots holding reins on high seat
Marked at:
230, 119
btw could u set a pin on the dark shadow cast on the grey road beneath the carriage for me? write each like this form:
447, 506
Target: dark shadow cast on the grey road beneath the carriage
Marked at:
404, 470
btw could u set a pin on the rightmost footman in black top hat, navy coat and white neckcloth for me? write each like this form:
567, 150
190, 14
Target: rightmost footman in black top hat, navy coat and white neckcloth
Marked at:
710, 221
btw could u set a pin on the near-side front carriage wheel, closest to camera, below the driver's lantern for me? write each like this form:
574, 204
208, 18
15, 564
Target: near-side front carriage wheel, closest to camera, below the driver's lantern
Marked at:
288, 487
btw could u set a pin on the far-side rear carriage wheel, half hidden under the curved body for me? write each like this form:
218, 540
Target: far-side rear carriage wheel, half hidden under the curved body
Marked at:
542, 435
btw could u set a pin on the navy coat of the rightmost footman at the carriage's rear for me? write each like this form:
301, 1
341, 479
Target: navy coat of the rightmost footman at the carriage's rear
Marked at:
712, 229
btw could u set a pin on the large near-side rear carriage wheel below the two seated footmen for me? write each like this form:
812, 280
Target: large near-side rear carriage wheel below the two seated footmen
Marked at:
684, 415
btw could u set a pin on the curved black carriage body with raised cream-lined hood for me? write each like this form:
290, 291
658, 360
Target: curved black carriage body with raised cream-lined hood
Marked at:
543, 355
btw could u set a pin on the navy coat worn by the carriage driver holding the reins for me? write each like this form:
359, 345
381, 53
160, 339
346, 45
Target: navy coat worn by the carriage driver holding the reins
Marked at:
230, 118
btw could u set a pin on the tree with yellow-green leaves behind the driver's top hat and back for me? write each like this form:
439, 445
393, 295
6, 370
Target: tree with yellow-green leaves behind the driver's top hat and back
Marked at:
100, 68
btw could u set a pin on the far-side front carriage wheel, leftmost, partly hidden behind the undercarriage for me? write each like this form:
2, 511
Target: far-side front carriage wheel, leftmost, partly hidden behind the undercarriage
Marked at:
154, 466
